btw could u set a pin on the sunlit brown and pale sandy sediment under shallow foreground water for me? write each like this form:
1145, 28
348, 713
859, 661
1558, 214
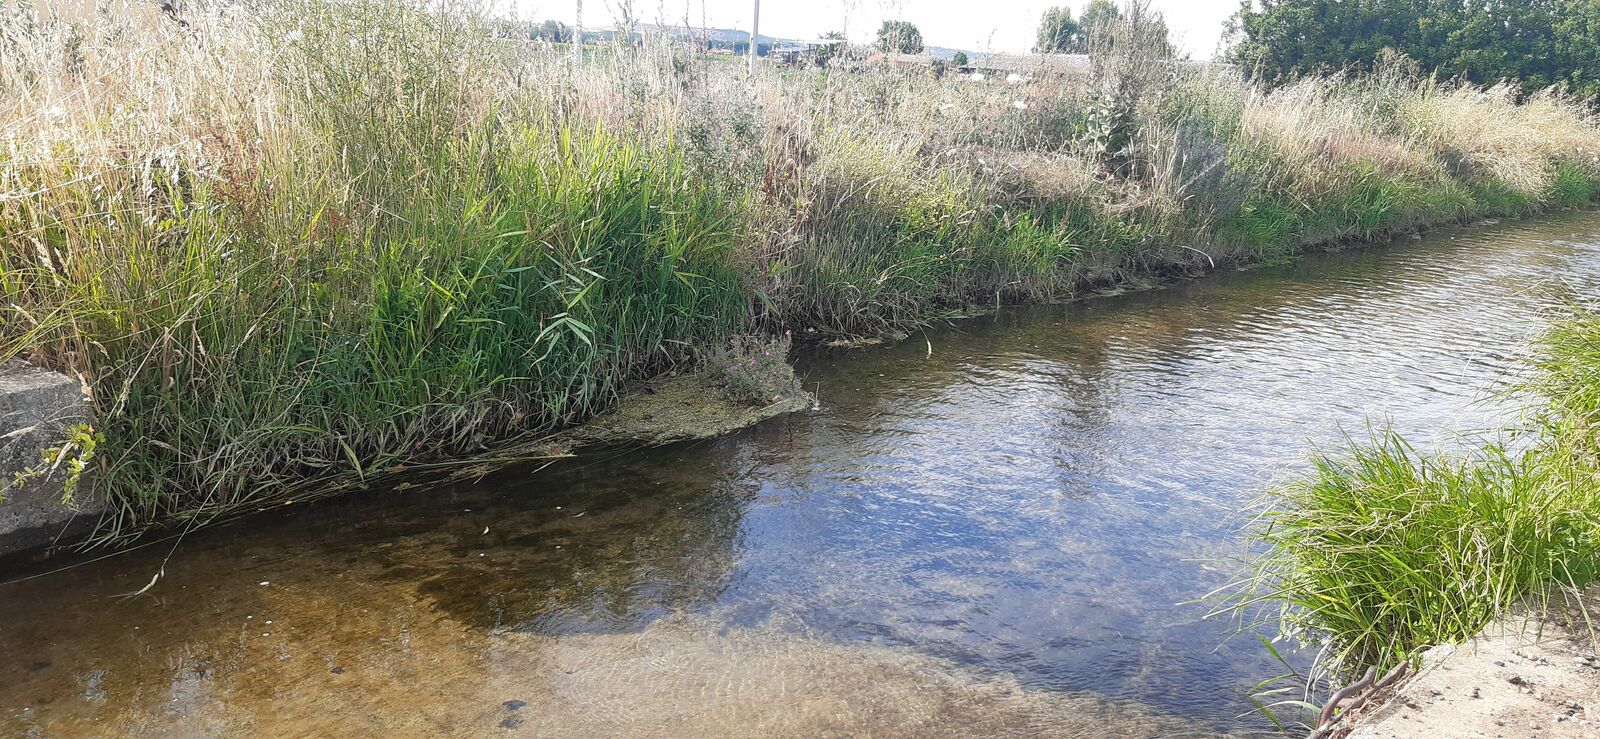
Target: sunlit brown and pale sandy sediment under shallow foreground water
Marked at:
374, 657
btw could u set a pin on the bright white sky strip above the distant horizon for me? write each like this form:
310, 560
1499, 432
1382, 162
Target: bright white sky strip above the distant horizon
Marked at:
978, 26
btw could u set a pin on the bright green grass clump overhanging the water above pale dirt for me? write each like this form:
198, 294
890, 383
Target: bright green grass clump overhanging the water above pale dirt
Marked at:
1385, 551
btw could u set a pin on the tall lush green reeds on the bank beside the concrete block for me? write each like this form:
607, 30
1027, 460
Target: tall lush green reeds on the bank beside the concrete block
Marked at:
238, 364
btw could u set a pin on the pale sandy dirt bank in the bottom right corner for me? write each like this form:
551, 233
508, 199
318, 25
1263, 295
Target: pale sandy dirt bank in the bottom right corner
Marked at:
1529, 676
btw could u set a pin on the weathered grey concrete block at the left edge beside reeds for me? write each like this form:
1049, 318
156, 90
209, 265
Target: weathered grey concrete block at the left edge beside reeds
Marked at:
36, 410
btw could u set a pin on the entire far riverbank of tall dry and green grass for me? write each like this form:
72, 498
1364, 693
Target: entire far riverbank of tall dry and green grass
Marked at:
324, 241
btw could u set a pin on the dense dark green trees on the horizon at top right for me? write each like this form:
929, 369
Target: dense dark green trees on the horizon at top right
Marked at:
1538, 42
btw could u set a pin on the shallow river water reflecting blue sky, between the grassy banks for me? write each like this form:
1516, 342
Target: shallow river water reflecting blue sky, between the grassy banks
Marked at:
999, 527
